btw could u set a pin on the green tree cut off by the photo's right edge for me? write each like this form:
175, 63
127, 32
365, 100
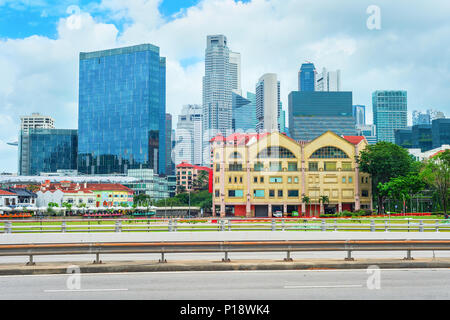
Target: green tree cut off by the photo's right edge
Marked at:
436, 172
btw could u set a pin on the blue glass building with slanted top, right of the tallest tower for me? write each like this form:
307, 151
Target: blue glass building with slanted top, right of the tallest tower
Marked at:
244, 113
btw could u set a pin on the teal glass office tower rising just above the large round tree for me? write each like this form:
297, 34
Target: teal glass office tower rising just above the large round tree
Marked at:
389, 113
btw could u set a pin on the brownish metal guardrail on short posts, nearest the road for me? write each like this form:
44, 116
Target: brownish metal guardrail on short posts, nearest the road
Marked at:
222, 247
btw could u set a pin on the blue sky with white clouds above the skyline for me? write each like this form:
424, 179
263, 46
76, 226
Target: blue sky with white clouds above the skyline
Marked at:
402, 45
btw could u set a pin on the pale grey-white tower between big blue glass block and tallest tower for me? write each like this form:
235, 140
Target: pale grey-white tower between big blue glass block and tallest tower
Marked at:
189, 135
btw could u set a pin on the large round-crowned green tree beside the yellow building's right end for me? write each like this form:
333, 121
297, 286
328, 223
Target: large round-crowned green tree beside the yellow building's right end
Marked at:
384, 161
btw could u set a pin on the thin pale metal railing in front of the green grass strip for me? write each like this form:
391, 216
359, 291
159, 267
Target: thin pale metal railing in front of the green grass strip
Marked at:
174, 225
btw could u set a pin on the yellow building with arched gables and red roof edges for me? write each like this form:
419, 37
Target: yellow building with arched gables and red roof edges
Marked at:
257, 175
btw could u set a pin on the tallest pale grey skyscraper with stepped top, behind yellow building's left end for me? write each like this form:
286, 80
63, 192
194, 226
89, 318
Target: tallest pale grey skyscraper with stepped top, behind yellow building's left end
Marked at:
217, 89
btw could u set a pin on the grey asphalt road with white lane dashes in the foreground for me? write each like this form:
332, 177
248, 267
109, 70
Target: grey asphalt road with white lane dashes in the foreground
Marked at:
234, 285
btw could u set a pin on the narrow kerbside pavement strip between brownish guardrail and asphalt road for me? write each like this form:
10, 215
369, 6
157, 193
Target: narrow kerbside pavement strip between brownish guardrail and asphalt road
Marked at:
170, 266
